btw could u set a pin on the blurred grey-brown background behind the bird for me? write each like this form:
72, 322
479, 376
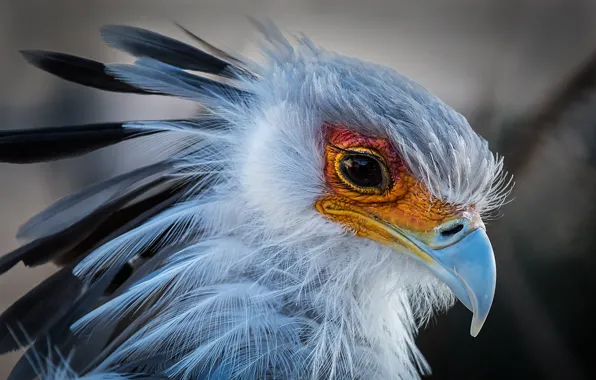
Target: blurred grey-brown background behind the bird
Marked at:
523, 72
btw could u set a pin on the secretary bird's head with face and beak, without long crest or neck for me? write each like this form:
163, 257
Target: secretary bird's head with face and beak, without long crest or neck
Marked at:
355, 153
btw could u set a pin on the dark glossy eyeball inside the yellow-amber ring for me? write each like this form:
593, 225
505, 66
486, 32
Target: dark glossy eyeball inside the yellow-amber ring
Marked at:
363, 170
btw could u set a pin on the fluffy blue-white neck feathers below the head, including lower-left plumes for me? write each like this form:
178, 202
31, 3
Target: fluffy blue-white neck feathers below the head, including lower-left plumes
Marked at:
305, 303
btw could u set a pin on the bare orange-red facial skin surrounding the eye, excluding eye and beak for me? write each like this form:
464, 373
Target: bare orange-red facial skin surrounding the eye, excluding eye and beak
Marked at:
404, 202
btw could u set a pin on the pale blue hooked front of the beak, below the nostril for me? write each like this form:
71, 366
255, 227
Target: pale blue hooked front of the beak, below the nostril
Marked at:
468, 268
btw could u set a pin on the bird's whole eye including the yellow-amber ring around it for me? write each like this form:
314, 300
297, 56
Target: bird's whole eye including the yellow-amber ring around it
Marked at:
363, 170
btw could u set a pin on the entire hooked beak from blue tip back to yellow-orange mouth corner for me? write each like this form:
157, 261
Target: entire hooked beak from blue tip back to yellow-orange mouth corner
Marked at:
457, 252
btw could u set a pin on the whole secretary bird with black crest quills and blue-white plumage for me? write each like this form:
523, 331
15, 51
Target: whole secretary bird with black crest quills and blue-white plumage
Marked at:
313, 214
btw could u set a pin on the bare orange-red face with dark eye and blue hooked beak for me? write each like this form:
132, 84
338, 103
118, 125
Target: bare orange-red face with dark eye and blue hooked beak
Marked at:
373, 194
